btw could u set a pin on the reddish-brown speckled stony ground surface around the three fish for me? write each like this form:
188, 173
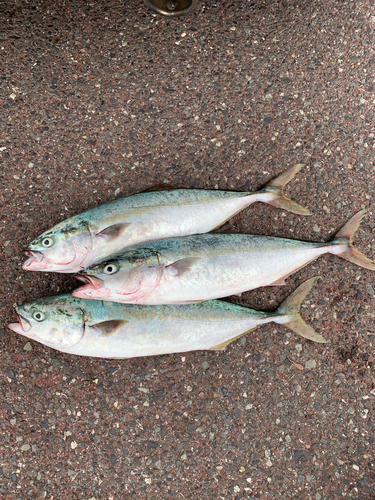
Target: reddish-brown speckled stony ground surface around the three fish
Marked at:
102, 99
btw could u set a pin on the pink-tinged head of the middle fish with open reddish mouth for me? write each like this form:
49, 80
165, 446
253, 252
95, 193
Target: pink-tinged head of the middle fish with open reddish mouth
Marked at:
119, 277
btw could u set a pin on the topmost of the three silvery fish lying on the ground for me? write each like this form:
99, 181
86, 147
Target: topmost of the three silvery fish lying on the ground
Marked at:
93, 235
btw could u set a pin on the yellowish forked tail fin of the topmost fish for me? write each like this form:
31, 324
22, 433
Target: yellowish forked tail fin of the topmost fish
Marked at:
276, 187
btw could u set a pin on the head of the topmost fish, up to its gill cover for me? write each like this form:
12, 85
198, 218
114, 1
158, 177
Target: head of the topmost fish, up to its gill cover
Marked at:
62, 249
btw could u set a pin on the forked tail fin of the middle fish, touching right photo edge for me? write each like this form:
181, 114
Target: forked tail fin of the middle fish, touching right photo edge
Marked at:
344, 240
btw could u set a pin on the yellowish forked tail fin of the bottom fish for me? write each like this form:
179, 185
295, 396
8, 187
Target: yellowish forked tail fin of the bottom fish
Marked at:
291, 306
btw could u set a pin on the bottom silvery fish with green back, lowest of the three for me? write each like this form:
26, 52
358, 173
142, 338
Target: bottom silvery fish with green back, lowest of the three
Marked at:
112, 330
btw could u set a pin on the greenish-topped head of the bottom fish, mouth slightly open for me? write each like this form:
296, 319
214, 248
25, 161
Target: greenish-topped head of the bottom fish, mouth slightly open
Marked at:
55, 321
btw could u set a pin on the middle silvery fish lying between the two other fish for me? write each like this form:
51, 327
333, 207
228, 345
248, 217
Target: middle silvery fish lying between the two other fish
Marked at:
208, 266
